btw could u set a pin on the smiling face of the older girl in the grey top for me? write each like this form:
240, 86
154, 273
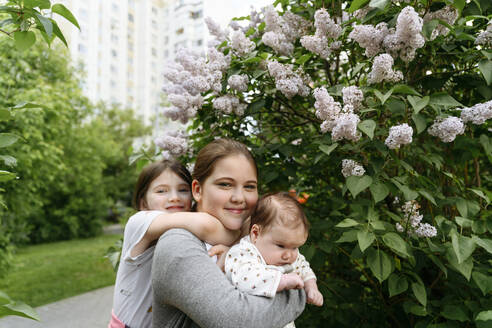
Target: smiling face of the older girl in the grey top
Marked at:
230, 193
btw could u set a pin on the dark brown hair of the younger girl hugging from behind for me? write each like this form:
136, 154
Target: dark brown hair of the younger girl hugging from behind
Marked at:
150, 173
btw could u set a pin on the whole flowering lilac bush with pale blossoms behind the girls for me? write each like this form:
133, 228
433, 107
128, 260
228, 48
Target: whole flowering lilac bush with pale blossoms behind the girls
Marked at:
379, 110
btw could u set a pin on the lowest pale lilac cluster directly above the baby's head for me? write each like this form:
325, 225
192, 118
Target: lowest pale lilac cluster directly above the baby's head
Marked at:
287, 81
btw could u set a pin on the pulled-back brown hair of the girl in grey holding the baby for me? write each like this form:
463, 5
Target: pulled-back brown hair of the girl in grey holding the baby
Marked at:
215, 151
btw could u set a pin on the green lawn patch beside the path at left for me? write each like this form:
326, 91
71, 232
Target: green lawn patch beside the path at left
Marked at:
46, 273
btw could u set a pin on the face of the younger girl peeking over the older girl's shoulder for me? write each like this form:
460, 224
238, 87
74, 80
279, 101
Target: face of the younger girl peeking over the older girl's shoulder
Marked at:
168, 192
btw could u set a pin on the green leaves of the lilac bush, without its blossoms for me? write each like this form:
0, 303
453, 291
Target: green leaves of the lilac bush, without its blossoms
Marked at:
370, 273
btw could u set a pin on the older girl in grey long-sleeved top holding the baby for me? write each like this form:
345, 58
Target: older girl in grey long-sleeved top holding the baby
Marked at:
189, 289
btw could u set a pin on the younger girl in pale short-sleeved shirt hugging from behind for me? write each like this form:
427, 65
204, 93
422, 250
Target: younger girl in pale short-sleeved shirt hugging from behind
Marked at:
162, 190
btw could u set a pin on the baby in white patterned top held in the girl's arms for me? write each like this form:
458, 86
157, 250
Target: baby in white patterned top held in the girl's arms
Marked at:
268, 260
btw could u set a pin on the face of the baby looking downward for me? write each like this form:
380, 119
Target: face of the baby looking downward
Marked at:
279, 244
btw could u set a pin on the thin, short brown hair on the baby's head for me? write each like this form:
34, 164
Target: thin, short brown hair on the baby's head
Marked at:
278, 206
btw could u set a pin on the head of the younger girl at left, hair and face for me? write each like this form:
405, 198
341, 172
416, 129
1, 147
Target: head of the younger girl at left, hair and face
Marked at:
163, 186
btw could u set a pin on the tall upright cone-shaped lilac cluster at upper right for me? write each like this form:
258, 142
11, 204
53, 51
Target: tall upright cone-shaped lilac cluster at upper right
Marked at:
407, 38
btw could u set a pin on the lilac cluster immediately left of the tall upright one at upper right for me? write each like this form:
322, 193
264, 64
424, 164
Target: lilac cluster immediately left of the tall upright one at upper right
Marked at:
369, 37
